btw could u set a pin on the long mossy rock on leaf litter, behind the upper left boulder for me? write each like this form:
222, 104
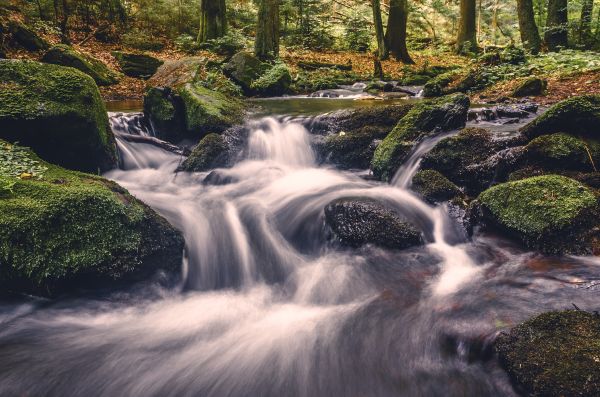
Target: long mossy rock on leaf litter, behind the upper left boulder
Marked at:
67, 56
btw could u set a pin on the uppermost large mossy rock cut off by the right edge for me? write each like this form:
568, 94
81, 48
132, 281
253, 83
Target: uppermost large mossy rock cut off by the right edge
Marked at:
577, 116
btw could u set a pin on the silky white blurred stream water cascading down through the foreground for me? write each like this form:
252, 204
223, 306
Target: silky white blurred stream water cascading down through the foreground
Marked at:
268, 306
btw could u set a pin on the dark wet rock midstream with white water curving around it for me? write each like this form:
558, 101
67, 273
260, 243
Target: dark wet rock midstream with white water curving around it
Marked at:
359, 221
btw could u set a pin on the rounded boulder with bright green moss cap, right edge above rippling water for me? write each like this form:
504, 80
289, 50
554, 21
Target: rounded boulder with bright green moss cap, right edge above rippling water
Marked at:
551, 213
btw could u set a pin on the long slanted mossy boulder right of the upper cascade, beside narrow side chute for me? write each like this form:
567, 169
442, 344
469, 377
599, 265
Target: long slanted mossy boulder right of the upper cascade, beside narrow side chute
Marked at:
424, 119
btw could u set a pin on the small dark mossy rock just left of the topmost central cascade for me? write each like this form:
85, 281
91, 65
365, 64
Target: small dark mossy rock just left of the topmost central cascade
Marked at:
211, 152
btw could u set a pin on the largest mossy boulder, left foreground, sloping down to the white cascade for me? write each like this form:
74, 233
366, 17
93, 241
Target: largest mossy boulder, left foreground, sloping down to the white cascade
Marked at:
63, 229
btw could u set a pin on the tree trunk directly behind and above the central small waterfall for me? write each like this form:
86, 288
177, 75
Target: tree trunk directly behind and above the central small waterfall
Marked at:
267, 30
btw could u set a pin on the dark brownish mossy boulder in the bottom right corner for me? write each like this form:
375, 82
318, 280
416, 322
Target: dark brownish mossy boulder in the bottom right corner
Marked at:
554, 354
